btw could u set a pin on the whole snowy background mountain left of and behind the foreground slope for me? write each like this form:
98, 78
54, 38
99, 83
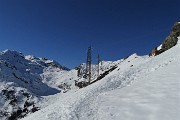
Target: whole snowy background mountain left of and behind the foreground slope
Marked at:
27, 81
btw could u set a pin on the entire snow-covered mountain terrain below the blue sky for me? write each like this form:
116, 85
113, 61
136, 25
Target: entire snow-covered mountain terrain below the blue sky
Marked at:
133, 88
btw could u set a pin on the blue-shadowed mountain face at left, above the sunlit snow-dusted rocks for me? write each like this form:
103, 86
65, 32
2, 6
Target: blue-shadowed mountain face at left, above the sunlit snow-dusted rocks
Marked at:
25, 71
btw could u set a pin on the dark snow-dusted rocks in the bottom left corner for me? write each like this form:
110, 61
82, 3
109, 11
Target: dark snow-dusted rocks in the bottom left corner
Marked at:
18, 104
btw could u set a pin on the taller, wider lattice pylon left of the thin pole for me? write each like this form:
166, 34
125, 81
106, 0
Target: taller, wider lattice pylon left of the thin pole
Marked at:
88, 64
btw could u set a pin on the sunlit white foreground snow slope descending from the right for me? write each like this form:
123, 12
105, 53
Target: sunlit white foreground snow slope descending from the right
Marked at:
140, 88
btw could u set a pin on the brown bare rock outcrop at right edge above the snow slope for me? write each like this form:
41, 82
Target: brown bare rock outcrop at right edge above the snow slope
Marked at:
169, 42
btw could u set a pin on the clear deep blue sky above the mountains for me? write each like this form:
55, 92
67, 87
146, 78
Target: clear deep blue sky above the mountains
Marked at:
63, 29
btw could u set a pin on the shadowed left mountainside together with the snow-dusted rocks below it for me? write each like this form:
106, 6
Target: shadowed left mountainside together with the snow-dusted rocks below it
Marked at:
21, 81
